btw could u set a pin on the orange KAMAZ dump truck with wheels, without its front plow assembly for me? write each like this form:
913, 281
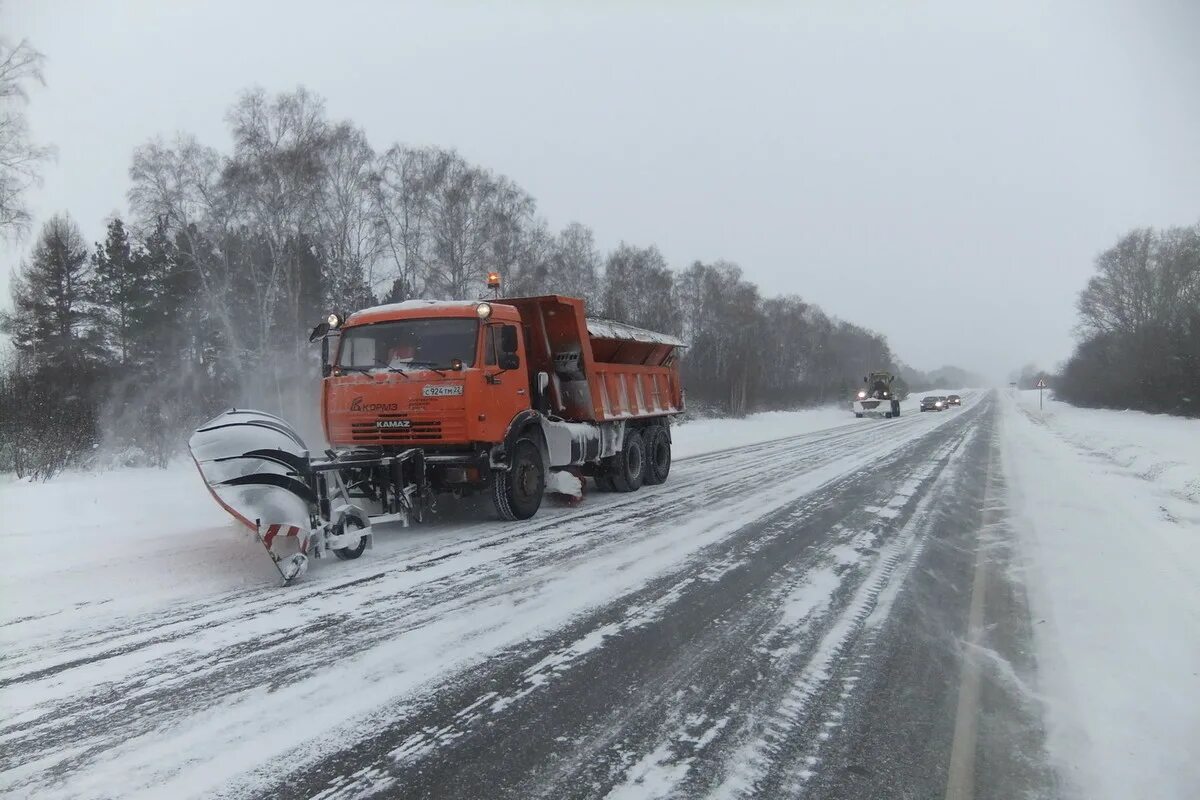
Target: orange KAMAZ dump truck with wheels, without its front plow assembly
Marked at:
497, 394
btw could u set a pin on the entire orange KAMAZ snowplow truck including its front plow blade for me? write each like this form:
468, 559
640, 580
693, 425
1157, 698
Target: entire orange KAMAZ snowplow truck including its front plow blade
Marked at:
427, 399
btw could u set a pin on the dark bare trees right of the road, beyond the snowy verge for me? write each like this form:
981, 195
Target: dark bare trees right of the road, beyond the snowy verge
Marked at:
1139, 327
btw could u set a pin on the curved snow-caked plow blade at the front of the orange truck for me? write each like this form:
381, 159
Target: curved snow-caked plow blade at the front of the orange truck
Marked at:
257, 468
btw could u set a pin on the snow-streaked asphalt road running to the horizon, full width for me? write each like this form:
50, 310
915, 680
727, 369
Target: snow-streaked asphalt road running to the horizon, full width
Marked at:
833, 615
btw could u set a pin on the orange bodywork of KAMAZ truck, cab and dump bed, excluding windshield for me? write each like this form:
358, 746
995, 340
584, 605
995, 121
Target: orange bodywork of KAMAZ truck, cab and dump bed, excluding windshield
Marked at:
615, 372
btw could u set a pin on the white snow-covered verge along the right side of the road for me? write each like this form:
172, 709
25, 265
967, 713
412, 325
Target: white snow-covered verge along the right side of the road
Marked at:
1108, 509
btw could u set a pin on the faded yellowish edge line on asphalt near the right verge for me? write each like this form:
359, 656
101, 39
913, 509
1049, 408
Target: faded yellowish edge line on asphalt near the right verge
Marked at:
961, 781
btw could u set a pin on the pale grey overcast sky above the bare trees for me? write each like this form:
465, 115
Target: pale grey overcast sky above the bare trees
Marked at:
941, 172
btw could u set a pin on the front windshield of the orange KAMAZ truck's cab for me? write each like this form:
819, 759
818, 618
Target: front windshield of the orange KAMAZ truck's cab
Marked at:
410, 345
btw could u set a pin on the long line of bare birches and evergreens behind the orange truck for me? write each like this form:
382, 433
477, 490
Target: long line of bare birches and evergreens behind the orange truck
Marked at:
203, 298
